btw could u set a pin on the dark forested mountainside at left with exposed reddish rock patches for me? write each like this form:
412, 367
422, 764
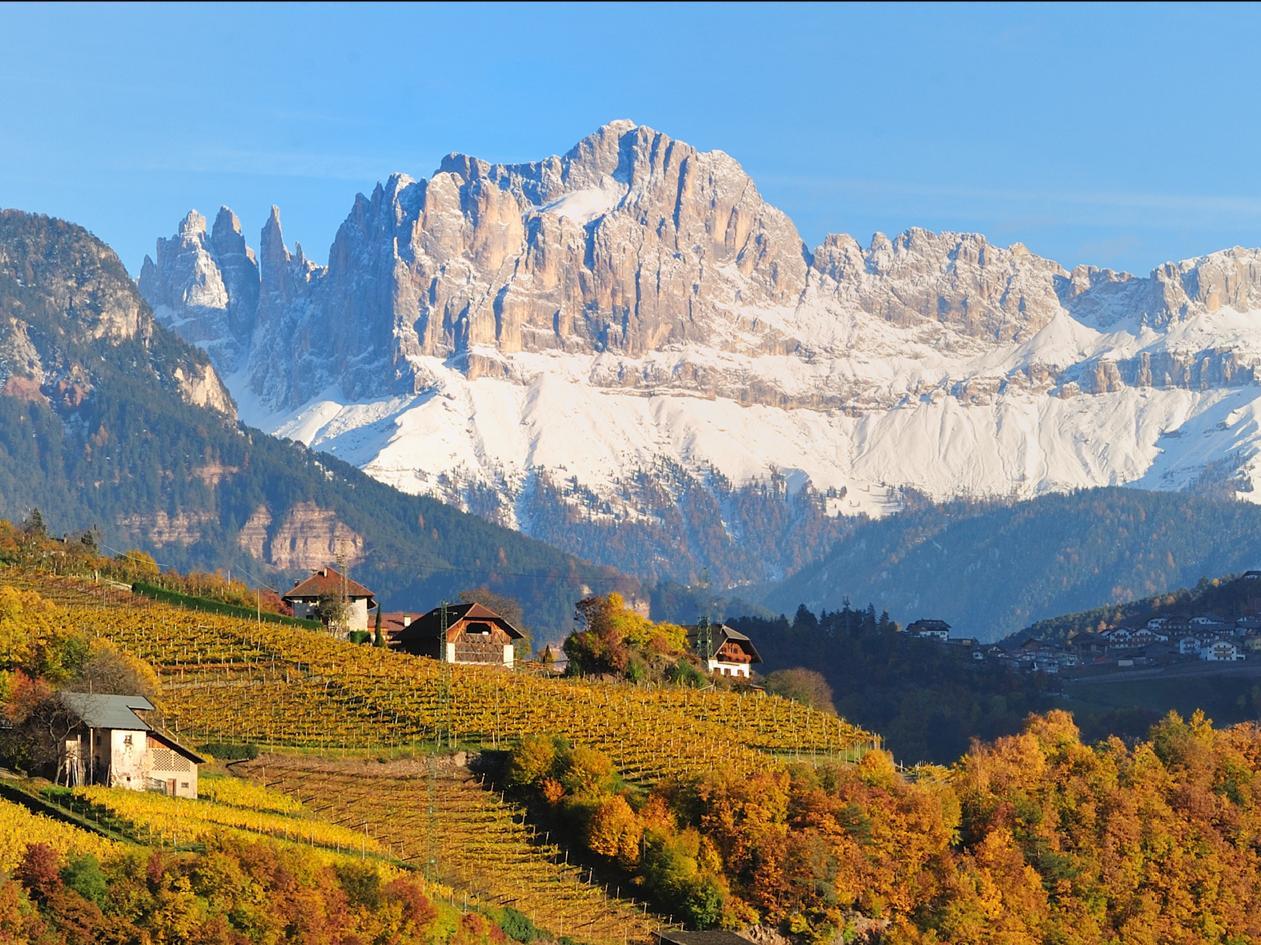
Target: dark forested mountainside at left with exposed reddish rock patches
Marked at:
109, 421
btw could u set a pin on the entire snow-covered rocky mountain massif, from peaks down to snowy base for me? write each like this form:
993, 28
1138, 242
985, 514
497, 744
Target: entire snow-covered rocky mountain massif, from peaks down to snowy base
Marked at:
499, 331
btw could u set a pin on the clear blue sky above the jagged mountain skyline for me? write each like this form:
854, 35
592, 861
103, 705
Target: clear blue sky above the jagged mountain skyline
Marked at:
1114, 136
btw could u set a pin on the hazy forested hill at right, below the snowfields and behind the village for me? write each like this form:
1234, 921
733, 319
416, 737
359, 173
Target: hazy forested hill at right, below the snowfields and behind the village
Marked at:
993, 568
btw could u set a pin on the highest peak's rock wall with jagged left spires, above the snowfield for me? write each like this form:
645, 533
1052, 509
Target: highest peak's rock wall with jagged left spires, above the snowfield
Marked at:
631, 243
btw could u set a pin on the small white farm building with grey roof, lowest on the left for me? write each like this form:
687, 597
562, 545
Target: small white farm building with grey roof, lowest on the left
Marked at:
110, 744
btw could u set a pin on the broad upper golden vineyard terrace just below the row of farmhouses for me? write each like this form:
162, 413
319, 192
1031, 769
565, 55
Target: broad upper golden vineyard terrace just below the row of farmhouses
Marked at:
230, 679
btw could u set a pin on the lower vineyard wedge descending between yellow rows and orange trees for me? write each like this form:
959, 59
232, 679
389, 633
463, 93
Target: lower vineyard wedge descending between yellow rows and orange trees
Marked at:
434, 814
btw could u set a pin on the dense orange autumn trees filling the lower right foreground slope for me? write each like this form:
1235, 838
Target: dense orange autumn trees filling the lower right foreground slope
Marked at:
1036, 838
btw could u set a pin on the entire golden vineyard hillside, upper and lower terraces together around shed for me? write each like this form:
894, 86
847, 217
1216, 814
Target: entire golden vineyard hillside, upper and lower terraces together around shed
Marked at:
228, 679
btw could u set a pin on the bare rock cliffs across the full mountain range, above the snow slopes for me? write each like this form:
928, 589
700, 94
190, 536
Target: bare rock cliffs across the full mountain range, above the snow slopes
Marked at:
641, 252
